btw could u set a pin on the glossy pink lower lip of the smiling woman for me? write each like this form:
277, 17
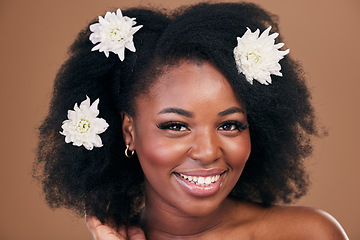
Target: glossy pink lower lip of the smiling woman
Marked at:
198, 190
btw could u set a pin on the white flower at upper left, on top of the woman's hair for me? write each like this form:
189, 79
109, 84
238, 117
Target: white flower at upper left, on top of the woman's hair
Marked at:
114, 33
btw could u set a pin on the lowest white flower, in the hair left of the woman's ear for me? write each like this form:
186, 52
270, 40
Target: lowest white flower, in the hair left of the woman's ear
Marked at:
83, 126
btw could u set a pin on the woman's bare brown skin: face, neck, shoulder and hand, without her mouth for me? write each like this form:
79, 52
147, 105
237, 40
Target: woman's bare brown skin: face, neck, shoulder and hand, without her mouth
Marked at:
205, 135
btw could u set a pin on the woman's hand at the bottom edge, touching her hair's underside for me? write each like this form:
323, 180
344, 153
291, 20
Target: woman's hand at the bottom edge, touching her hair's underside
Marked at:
103, 232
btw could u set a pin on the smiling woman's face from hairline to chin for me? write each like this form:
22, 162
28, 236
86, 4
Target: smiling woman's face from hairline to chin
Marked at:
191, 137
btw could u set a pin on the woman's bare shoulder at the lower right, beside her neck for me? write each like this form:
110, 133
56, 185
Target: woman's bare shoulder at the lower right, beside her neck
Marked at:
251, 221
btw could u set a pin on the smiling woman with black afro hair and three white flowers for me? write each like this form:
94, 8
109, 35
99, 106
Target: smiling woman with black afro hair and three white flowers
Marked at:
196, 131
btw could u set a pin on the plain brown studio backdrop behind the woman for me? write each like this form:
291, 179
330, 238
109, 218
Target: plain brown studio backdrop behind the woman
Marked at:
34, 39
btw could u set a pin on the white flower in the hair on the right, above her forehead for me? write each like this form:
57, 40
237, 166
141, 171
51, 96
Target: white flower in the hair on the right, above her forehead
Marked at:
258, 57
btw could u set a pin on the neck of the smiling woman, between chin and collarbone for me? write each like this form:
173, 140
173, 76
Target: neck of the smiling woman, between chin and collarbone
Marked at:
166, 222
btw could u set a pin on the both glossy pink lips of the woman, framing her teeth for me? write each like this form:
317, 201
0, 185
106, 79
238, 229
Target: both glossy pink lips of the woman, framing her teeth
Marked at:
198, 190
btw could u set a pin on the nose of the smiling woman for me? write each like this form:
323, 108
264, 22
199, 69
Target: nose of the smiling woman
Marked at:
205, 146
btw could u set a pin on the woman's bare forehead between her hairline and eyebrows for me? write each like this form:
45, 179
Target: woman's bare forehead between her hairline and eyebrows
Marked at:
189, 85
